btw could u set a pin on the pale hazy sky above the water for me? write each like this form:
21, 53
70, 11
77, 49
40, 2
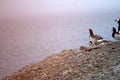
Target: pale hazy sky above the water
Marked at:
42, 7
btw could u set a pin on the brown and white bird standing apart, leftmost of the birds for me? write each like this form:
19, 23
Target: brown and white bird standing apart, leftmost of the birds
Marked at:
94, 38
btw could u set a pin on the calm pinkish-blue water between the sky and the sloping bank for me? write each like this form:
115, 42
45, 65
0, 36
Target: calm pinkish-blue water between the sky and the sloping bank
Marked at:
28, 40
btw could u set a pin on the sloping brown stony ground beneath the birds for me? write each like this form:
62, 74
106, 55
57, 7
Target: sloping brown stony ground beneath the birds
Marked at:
99, 63
